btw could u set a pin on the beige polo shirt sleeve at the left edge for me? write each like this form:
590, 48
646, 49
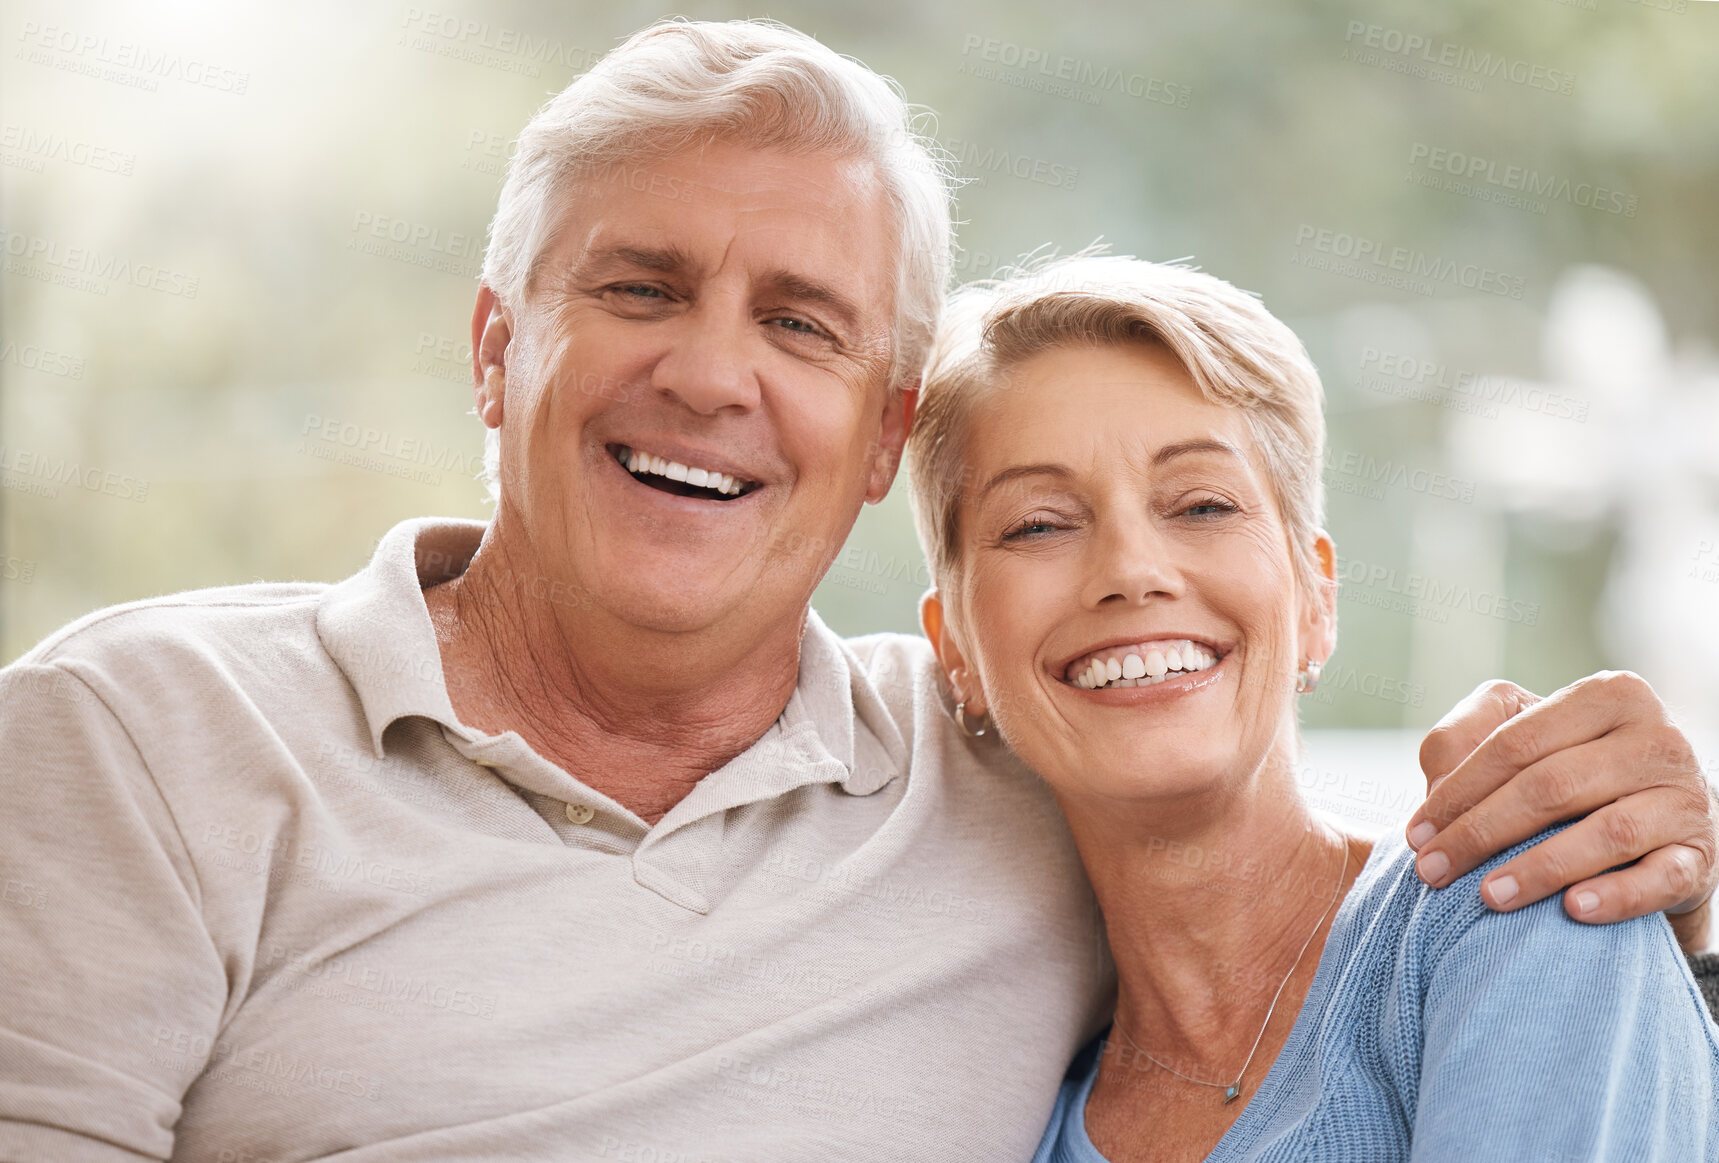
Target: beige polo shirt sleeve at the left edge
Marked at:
111, 987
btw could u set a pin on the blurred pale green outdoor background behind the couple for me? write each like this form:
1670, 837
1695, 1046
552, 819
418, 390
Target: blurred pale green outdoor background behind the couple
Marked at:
1256, 128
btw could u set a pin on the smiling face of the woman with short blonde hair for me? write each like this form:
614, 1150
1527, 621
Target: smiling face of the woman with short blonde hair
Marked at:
1130, 609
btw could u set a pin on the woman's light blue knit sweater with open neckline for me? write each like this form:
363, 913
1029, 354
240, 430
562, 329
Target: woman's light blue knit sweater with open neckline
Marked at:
1438, 1030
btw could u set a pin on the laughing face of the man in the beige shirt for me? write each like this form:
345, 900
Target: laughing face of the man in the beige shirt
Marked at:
697, 394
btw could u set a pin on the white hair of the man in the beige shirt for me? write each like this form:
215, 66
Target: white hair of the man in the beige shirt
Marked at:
682, 83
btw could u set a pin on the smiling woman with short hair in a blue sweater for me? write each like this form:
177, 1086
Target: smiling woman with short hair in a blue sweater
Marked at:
1116, 480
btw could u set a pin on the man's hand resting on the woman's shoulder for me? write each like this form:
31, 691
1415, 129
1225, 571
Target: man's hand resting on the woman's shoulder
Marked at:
1507, 764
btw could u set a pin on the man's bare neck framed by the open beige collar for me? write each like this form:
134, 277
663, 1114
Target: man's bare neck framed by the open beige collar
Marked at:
639, 715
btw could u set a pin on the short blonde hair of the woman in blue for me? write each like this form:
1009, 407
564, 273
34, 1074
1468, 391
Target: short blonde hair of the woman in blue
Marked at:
1237, 353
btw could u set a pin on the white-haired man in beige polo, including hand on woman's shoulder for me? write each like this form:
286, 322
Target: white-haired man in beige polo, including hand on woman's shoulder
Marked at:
577, 836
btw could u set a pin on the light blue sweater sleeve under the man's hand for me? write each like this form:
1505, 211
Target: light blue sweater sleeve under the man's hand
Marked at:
1558, 1042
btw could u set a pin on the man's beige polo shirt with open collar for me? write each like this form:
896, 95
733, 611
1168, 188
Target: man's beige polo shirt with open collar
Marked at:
267, 899
